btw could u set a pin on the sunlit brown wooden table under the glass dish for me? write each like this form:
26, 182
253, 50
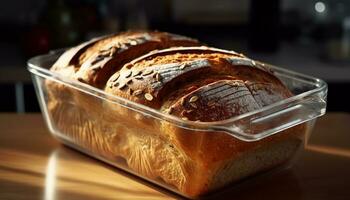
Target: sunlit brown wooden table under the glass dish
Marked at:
35, 166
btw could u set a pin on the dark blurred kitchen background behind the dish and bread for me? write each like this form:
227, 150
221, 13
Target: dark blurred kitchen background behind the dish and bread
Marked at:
308, 36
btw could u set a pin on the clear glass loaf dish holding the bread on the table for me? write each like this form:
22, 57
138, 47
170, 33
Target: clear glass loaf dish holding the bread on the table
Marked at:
85, 118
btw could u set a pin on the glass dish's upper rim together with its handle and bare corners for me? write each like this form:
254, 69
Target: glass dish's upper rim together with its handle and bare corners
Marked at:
308, 103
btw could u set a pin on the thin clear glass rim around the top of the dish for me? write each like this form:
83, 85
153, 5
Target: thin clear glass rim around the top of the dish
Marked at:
35, 67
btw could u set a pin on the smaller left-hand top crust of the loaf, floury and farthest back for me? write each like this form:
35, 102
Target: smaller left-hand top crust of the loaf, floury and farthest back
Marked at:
95, 61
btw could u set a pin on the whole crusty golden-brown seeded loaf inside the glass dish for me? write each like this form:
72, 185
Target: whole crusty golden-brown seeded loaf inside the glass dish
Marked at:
194, 83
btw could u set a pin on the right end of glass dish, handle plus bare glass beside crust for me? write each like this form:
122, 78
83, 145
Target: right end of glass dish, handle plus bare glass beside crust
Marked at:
309, 102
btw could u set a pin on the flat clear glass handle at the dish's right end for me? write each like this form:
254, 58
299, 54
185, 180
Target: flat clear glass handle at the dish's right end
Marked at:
263, 124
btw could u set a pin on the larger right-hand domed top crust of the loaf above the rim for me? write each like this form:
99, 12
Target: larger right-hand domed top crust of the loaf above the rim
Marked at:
155, 79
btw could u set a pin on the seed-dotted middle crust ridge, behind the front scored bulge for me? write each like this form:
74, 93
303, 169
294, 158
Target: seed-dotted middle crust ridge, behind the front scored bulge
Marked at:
160, 71
